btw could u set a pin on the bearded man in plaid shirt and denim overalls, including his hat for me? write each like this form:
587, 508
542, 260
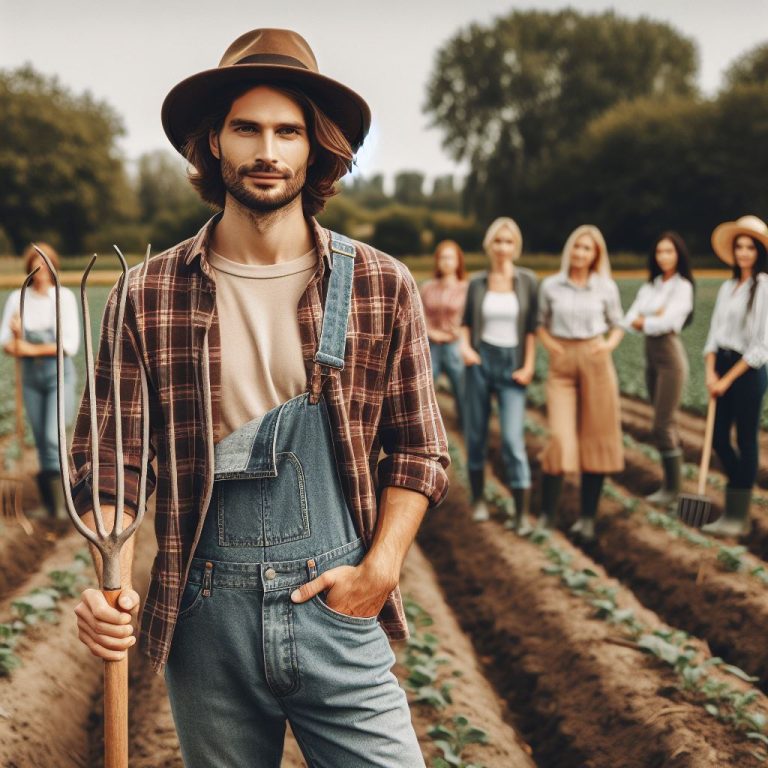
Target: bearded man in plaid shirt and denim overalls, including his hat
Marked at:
282, 358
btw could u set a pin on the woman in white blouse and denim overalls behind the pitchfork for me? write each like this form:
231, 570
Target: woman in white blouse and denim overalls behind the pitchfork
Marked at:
36, 347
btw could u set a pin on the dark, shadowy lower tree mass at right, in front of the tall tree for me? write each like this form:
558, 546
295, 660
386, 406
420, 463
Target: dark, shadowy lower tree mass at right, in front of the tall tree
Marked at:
650, 165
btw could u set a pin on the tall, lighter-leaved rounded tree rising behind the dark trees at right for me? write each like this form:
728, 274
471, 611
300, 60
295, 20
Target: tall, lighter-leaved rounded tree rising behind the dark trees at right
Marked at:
508, 95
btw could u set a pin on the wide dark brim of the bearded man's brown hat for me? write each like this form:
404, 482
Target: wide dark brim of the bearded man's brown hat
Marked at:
186, 103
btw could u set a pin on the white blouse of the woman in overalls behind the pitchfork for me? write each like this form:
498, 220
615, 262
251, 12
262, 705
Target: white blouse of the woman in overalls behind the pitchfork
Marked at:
40, 318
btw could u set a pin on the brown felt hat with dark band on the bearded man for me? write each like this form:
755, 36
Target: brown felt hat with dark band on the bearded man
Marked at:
265, 56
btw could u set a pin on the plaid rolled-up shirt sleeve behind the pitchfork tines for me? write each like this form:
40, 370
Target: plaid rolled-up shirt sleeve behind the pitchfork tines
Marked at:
81, 455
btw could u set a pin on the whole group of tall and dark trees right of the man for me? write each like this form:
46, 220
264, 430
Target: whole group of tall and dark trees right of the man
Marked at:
566, 118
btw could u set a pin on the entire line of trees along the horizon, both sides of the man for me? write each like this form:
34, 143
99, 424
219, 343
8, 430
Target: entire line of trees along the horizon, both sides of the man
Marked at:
562, 118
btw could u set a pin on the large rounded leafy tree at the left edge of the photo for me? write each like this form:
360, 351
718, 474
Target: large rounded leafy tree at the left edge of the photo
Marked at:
61, 175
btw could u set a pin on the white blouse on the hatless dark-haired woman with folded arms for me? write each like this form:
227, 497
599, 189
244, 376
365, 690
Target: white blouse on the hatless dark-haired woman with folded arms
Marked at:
664, 305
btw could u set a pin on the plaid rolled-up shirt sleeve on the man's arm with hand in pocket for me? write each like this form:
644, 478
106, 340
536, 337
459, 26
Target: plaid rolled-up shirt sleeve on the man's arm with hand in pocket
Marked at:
411, 428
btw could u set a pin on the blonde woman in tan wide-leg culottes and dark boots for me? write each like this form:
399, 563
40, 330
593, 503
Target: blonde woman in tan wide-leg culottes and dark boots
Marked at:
579, 325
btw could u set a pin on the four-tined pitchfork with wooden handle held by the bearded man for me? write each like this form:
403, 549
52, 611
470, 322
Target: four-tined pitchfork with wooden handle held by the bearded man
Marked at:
109, 543
